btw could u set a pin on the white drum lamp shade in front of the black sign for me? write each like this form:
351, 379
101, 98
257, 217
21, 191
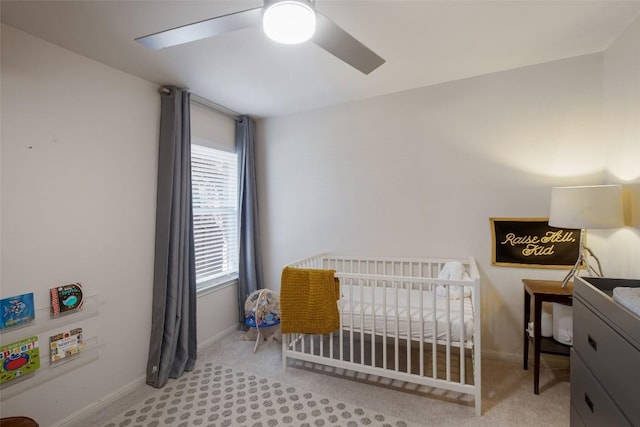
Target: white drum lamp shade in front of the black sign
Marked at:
595, 206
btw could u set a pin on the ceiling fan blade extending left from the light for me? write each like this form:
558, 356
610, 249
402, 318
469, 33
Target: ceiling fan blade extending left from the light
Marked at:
203, 29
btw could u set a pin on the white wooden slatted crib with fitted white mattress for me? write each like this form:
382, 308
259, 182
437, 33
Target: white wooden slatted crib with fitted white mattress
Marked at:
399, 321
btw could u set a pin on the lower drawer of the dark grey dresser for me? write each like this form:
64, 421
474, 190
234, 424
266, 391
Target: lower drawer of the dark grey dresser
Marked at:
592, 404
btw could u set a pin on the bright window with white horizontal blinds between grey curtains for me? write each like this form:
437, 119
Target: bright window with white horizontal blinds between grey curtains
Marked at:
214, 176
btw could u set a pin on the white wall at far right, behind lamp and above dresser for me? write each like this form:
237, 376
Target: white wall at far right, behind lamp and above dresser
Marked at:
622, 121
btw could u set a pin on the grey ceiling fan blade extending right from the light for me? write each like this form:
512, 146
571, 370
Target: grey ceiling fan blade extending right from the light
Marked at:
344, 46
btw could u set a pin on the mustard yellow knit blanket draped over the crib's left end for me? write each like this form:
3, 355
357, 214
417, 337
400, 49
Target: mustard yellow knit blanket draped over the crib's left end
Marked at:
308, 301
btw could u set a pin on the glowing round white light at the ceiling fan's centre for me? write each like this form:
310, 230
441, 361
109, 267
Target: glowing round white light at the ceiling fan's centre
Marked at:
289, 21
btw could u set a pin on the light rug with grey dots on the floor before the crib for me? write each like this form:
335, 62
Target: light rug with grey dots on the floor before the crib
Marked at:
219, 396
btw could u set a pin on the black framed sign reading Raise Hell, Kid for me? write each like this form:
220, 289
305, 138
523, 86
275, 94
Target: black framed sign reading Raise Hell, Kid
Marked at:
533, 243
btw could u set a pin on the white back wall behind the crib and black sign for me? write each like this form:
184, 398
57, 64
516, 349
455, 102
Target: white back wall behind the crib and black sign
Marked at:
420, 173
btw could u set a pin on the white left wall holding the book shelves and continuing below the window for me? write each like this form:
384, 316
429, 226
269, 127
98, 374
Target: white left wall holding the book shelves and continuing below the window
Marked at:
79, 155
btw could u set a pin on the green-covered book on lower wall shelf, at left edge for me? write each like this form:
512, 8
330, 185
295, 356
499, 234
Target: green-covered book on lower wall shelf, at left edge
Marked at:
19, 358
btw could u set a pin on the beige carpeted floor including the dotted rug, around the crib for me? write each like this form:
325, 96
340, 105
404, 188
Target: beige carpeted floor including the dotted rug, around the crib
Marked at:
325, 397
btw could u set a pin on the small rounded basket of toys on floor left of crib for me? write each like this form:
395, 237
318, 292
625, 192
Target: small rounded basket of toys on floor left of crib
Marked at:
262, 310
